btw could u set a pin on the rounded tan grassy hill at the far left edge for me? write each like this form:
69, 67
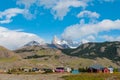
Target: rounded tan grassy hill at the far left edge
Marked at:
8, 58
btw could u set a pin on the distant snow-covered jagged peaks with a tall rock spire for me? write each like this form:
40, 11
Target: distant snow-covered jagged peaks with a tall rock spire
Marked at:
56, 43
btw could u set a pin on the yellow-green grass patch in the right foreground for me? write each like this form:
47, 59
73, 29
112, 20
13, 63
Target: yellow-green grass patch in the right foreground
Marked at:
93, 76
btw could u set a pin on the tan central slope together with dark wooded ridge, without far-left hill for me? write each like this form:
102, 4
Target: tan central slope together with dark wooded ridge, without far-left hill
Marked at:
106, 53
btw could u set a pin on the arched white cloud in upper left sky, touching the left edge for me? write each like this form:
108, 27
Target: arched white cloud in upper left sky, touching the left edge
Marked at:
7, 15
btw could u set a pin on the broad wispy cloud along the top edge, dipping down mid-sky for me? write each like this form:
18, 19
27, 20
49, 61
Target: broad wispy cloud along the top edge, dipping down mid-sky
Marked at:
59, 8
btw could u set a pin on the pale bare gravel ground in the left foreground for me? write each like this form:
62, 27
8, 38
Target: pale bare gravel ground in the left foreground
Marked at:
31, 77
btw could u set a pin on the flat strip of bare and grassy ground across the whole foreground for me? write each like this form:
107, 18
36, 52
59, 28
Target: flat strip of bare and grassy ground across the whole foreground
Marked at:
60, 76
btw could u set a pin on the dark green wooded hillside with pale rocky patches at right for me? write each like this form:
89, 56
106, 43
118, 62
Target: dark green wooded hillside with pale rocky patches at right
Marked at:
109, 50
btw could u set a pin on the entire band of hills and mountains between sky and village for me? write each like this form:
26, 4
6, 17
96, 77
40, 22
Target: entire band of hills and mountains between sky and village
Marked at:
52, 55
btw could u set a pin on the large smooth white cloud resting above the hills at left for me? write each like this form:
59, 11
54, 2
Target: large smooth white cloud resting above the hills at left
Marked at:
13, 39
